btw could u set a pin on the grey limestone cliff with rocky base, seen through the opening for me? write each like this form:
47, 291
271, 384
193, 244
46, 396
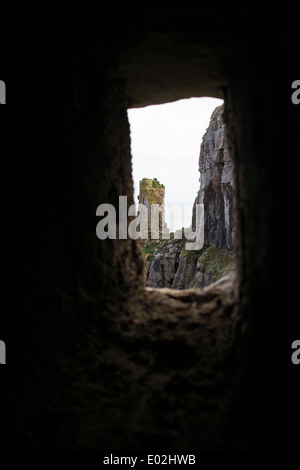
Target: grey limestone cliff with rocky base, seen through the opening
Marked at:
168, 264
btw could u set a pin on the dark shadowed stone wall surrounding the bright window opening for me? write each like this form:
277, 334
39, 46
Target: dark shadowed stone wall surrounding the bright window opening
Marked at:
93, 360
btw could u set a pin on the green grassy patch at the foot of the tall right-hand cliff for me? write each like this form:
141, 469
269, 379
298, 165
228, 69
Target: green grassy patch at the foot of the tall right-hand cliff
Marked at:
217, 262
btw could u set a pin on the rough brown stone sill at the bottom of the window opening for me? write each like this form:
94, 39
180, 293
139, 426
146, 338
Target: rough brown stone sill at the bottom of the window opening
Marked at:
195, 316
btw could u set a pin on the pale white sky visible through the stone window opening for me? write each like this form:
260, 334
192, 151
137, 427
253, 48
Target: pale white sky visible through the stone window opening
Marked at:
165, 144
